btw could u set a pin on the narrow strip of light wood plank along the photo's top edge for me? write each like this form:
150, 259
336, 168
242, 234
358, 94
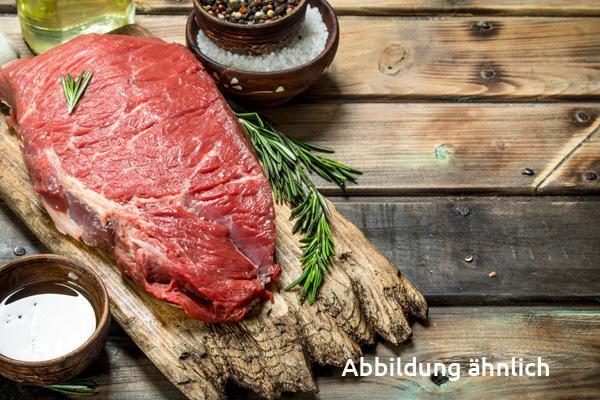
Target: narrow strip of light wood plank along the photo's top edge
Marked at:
401, 7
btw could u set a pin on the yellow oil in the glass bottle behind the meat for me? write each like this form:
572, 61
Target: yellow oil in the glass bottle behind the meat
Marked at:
47, 23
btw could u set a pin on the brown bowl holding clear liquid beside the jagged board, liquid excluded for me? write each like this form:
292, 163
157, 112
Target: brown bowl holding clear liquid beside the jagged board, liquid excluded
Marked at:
53, 268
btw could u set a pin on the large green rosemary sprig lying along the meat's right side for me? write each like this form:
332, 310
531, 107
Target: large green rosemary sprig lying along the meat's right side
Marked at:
285, 161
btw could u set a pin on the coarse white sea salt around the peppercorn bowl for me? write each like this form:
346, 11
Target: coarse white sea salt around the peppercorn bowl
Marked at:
311, 40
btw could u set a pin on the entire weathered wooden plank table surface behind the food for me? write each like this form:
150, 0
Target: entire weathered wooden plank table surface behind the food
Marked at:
443, 104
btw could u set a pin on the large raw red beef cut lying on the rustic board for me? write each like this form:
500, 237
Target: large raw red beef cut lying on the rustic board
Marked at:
151, 166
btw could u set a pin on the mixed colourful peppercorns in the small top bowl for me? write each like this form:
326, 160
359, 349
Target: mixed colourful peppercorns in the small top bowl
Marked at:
249, 11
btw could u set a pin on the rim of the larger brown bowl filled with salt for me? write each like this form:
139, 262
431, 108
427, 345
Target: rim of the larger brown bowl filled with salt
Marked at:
329, 44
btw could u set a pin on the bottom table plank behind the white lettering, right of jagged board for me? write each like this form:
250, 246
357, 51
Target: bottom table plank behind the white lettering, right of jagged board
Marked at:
568, 340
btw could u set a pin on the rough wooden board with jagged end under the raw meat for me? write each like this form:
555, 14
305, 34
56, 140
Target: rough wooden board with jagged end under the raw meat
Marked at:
270, 351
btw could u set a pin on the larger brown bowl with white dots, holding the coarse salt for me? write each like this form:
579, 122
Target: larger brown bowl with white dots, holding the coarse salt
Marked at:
267, 89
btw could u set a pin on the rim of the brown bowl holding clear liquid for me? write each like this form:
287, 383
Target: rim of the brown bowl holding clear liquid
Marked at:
103, 318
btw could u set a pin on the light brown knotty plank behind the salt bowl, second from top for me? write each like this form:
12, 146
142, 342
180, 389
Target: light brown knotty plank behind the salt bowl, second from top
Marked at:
457, 58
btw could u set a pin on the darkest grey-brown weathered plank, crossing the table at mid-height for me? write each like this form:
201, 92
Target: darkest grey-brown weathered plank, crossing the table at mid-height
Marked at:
542, 249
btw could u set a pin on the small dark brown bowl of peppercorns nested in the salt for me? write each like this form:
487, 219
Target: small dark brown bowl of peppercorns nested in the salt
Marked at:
250, 39
